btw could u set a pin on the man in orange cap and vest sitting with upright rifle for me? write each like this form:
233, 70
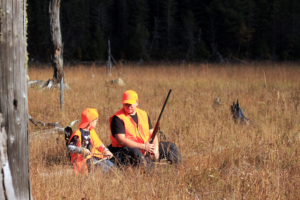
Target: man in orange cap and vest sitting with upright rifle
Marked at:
131, 131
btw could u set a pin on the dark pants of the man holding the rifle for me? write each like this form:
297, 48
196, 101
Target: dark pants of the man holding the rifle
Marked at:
133, 156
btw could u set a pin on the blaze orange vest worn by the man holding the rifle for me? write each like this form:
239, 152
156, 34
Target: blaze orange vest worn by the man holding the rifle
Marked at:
137, 133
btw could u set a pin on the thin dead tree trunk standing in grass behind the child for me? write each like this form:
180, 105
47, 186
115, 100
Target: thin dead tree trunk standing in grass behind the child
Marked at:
56, 47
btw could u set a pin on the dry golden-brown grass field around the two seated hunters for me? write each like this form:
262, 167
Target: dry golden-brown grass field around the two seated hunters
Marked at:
222, 160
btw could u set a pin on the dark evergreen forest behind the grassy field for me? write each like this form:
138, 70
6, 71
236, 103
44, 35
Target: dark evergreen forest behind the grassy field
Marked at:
192, 30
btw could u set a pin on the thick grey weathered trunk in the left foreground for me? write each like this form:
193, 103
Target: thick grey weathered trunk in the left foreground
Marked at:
13, 93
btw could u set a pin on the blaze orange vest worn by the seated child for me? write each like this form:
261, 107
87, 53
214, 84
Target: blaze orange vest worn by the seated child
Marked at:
77, 160
